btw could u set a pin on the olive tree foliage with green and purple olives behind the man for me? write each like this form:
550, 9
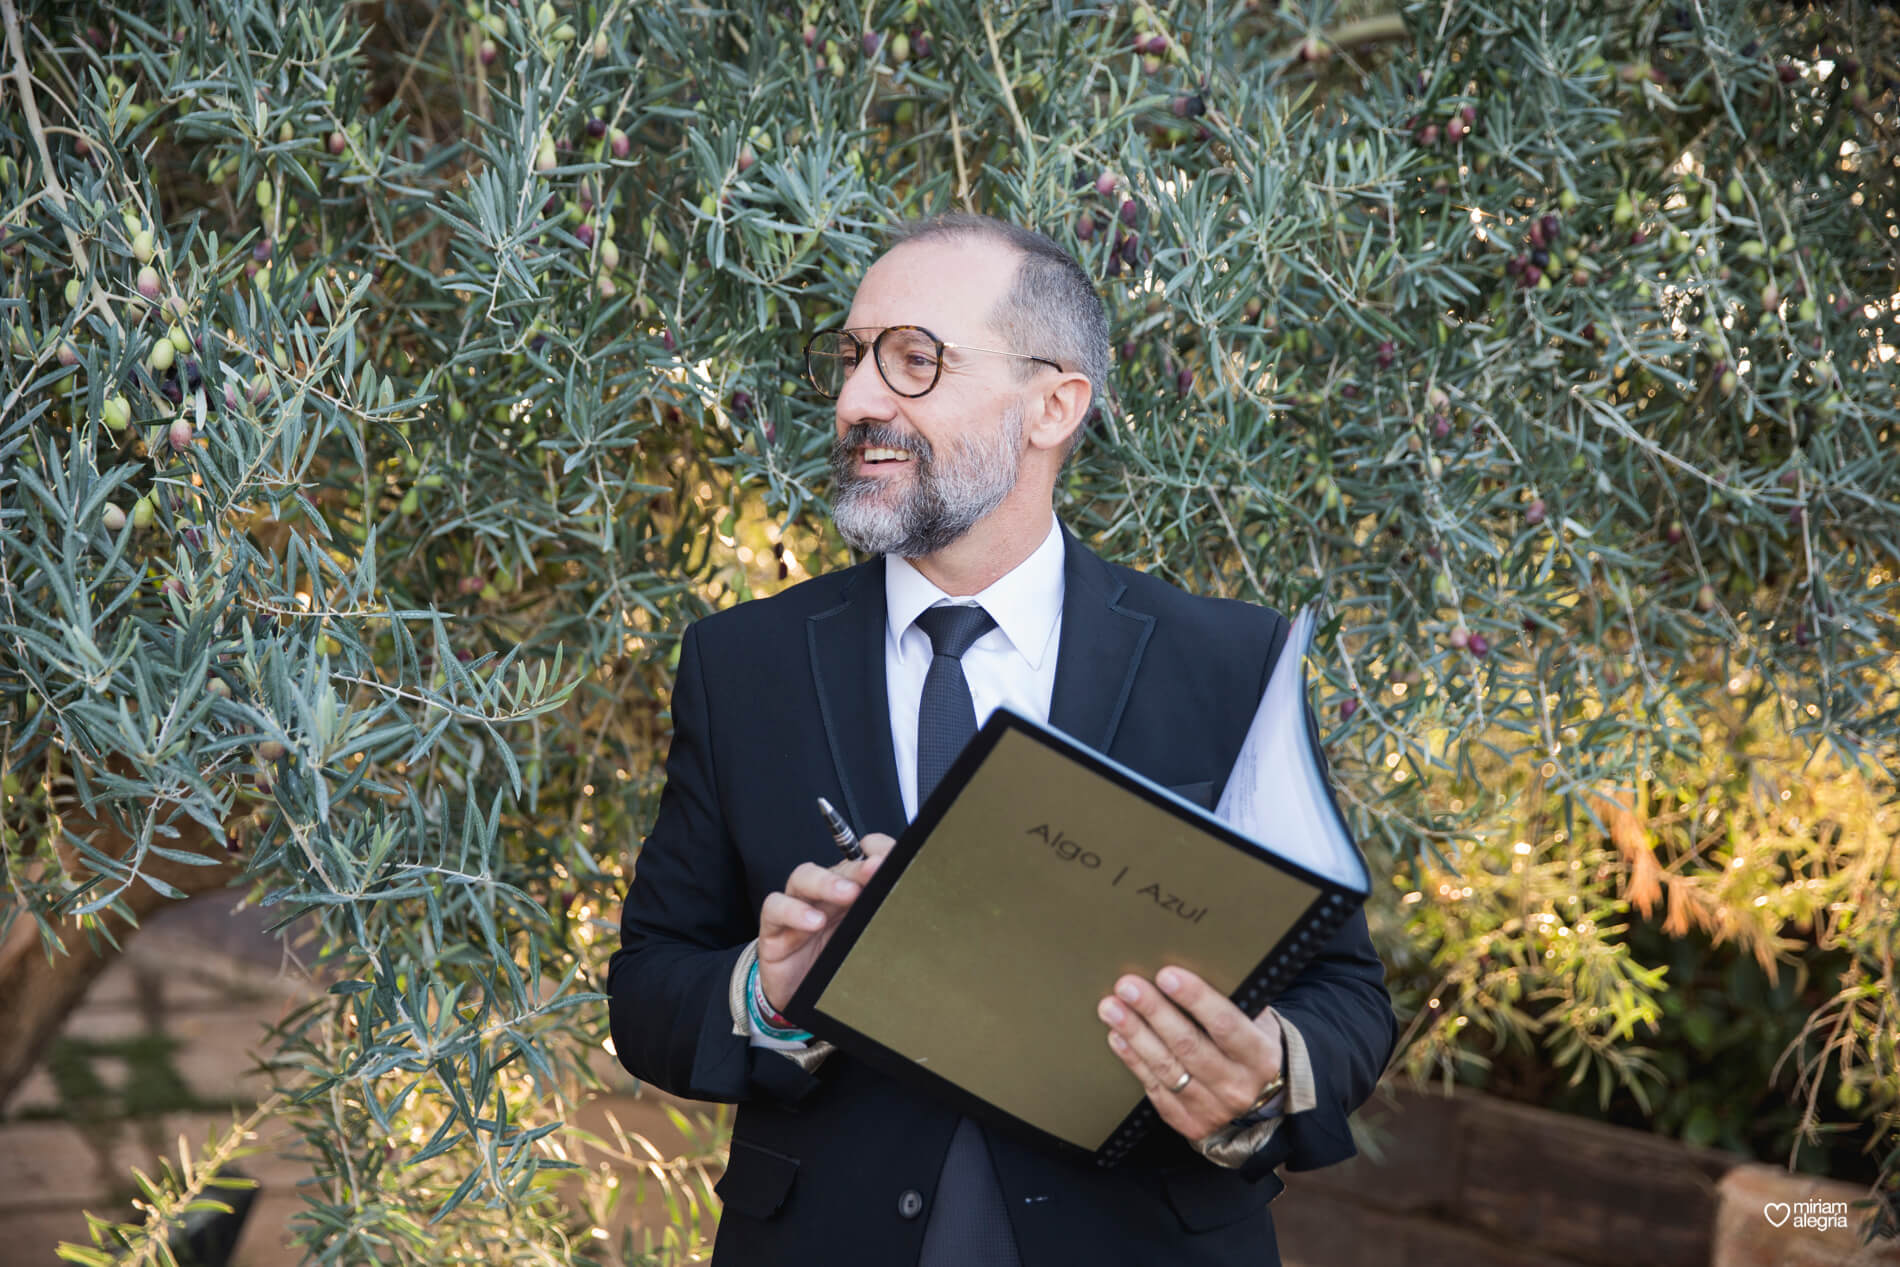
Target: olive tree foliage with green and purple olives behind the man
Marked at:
385, 388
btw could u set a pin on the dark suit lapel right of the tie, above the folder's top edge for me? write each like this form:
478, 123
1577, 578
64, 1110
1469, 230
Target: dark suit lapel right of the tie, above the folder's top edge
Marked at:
1101, 649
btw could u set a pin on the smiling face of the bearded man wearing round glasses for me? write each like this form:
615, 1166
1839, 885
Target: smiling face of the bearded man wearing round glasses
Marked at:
915, 474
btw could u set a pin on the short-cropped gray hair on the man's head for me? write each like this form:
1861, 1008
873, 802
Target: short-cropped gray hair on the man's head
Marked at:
1052, 311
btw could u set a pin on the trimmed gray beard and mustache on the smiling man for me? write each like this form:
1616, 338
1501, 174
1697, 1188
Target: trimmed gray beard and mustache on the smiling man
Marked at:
940, 504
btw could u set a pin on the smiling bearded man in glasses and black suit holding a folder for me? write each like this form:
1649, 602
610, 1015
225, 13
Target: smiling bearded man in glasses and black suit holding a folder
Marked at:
964, 371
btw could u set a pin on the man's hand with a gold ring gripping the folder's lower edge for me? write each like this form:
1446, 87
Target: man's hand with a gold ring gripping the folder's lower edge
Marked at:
1181, 1025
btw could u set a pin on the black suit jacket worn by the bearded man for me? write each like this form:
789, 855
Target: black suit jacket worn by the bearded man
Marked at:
784, 700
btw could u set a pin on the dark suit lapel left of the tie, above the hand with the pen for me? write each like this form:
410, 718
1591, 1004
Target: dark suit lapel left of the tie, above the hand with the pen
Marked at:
846, 647
